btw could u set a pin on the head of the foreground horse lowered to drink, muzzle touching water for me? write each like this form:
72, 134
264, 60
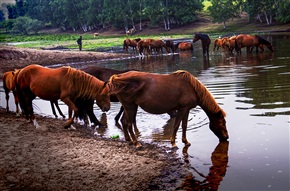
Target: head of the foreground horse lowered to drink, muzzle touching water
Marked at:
218, 126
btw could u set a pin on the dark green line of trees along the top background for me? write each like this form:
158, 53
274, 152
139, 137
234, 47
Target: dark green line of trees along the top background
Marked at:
95, 14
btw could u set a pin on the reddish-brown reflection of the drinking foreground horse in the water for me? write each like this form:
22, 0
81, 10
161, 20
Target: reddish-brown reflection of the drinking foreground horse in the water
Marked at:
217, 171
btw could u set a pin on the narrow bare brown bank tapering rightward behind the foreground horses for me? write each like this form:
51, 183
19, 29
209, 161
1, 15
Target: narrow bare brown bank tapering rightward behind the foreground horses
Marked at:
11, 57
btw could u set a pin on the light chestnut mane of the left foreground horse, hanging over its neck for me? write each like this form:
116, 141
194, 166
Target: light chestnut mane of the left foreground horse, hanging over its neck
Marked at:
86, 85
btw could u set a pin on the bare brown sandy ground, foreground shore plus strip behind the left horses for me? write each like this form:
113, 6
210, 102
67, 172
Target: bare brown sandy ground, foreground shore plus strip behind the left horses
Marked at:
53, 158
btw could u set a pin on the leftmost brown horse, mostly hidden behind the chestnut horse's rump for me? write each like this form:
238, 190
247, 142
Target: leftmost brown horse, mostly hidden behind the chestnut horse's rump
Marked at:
9, 85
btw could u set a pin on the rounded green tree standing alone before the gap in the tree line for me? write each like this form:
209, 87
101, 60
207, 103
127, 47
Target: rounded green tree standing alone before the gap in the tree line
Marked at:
223, 10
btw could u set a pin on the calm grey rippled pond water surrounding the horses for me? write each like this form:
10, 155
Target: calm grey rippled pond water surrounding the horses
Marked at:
253, 89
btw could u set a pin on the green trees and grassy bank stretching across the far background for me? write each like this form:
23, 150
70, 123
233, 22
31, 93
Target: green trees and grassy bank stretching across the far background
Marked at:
163, 19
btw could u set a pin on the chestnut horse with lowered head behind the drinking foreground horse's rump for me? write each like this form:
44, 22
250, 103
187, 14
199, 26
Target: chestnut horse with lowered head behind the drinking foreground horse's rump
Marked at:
65, 83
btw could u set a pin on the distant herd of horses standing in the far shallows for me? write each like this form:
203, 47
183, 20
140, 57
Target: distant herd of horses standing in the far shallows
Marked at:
149, 46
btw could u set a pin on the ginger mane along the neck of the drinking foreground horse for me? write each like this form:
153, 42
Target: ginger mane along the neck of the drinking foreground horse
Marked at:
206, 100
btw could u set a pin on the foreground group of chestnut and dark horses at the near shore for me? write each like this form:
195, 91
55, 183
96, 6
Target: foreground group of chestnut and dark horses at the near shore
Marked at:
174, 93
